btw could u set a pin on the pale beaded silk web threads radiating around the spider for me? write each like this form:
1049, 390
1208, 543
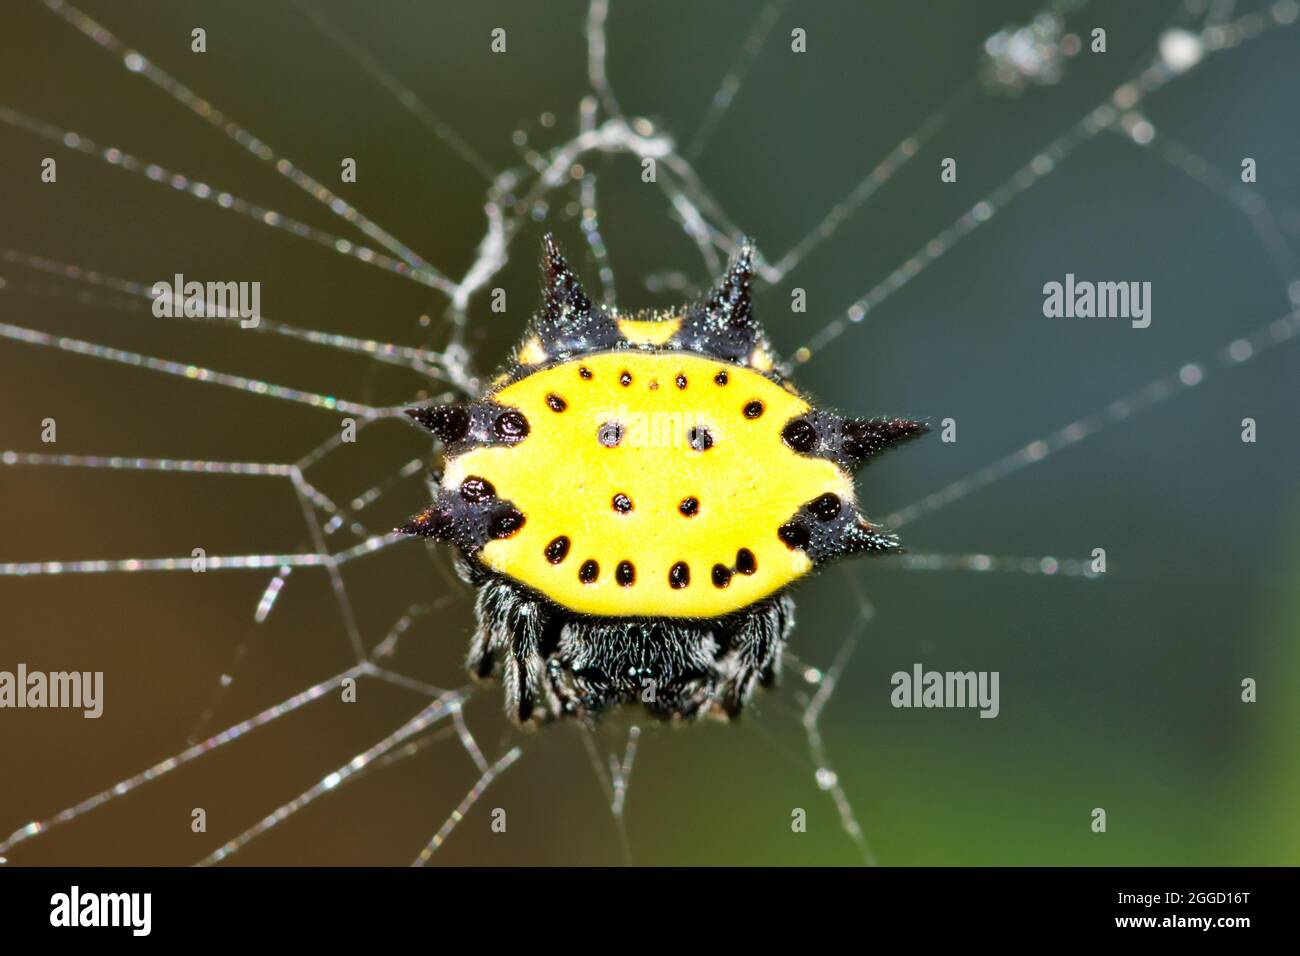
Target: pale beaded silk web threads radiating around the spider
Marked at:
344, 533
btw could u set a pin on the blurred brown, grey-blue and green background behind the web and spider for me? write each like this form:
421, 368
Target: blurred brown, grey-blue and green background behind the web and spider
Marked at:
1121, 693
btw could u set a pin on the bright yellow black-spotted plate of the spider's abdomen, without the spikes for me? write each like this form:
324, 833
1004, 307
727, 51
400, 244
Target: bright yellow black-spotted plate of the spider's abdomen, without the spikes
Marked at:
652, 485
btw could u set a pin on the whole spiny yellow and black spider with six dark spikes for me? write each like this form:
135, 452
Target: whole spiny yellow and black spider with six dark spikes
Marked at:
634, 499
